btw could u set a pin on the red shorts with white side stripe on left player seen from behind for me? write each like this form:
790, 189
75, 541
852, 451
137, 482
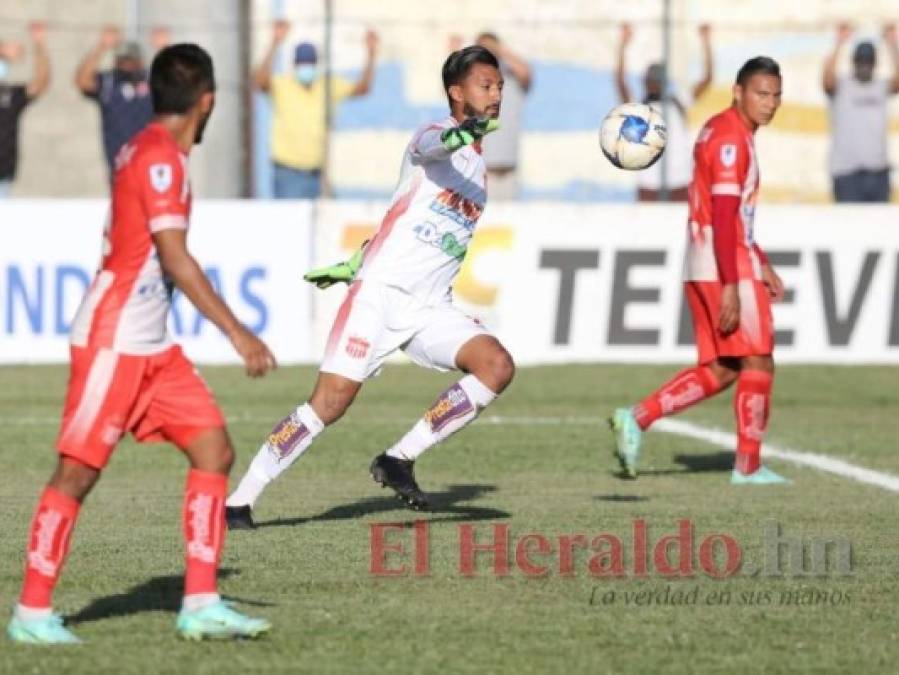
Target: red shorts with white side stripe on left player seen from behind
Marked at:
156, 397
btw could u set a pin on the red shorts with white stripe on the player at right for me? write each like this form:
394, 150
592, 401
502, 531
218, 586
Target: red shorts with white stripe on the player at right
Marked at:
753, 337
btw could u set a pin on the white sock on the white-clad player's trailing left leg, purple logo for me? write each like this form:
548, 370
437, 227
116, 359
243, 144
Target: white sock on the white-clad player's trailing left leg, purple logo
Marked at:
288, 440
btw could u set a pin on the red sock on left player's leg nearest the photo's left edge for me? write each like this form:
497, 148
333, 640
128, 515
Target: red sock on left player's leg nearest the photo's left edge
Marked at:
48, 545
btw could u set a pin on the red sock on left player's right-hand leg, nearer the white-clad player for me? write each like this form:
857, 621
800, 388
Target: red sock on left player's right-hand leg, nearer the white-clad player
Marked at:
204, 529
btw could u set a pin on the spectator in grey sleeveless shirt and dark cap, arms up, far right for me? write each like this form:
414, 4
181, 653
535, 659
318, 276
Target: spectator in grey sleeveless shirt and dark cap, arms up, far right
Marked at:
858, 119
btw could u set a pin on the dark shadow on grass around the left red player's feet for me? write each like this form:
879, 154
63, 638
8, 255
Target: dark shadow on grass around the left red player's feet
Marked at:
159, 594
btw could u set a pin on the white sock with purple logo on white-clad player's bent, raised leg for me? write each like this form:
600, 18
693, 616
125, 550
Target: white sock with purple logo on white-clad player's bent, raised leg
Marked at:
454, 408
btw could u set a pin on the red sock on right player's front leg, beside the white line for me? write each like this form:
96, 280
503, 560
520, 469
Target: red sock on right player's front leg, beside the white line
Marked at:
751, 407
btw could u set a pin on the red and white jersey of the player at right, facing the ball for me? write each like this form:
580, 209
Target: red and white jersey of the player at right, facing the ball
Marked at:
724, 163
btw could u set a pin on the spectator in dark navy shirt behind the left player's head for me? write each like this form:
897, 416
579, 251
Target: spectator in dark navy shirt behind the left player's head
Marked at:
122, 93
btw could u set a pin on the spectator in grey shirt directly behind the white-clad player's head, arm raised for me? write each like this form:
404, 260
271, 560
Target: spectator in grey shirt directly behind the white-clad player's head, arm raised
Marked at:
501, 148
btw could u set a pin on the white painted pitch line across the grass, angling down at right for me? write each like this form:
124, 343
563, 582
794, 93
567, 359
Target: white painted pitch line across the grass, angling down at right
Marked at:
721, 439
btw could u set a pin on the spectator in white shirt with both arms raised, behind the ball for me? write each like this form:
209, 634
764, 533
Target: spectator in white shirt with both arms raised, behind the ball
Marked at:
679, 151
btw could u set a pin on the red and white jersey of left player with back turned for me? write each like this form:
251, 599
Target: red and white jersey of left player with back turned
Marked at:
126, 307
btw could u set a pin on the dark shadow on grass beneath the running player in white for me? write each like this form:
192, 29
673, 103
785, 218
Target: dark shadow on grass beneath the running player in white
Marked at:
444, 502
